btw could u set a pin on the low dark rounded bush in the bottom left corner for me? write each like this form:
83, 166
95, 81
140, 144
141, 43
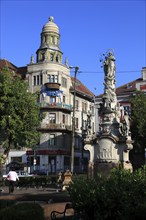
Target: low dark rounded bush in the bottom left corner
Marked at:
23, 211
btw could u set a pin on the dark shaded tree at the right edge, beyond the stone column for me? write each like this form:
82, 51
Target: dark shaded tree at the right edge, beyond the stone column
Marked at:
138, 125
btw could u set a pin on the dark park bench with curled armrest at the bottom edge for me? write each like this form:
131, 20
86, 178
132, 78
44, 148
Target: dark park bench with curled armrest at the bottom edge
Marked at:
62, 215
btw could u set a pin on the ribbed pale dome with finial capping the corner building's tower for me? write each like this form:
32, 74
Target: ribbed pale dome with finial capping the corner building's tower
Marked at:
50, 26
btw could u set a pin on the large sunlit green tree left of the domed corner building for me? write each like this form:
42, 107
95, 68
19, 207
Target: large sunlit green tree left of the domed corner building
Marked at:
19, 113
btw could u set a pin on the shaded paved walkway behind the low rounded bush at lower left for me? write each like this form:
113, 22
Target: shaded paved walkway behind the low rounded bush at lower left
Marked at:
51, 199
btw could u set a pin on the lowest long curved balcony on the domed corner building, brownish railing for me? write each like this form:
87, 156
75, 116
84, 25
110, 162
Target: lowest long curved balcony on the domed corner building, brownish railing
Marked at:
55, 128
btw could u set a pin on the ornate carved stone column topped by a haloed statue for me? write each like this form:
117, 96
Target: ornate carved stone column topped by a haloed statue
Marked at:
113, 142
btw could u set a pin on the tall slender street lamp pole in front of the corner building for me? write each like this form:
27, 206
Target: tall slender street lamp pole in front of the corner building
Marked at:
73, 118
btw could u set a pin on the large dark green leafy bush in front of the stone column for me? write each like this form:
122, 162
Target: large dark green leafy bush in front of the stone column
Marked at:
116, 197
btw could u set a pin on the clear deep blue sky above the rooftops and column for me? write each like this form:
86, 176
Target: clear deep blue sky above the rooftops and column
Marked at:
88, 30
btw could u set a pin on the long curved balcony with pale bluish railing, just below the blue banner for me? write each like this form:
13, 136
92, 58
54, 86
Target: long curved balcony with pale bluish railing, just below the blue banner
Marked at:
57, 106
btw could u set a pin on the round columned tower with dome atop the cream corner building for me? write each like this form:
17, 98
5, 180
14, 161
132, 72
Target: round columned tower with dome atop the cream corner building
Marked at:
49, 50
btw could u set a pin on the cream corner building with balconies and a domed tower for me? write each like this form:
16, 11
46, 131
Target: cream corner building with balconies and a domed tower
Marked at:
51, 79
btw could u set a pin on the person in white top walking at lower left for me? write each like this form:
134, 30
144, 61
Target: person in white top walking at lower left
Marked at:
12, 177
